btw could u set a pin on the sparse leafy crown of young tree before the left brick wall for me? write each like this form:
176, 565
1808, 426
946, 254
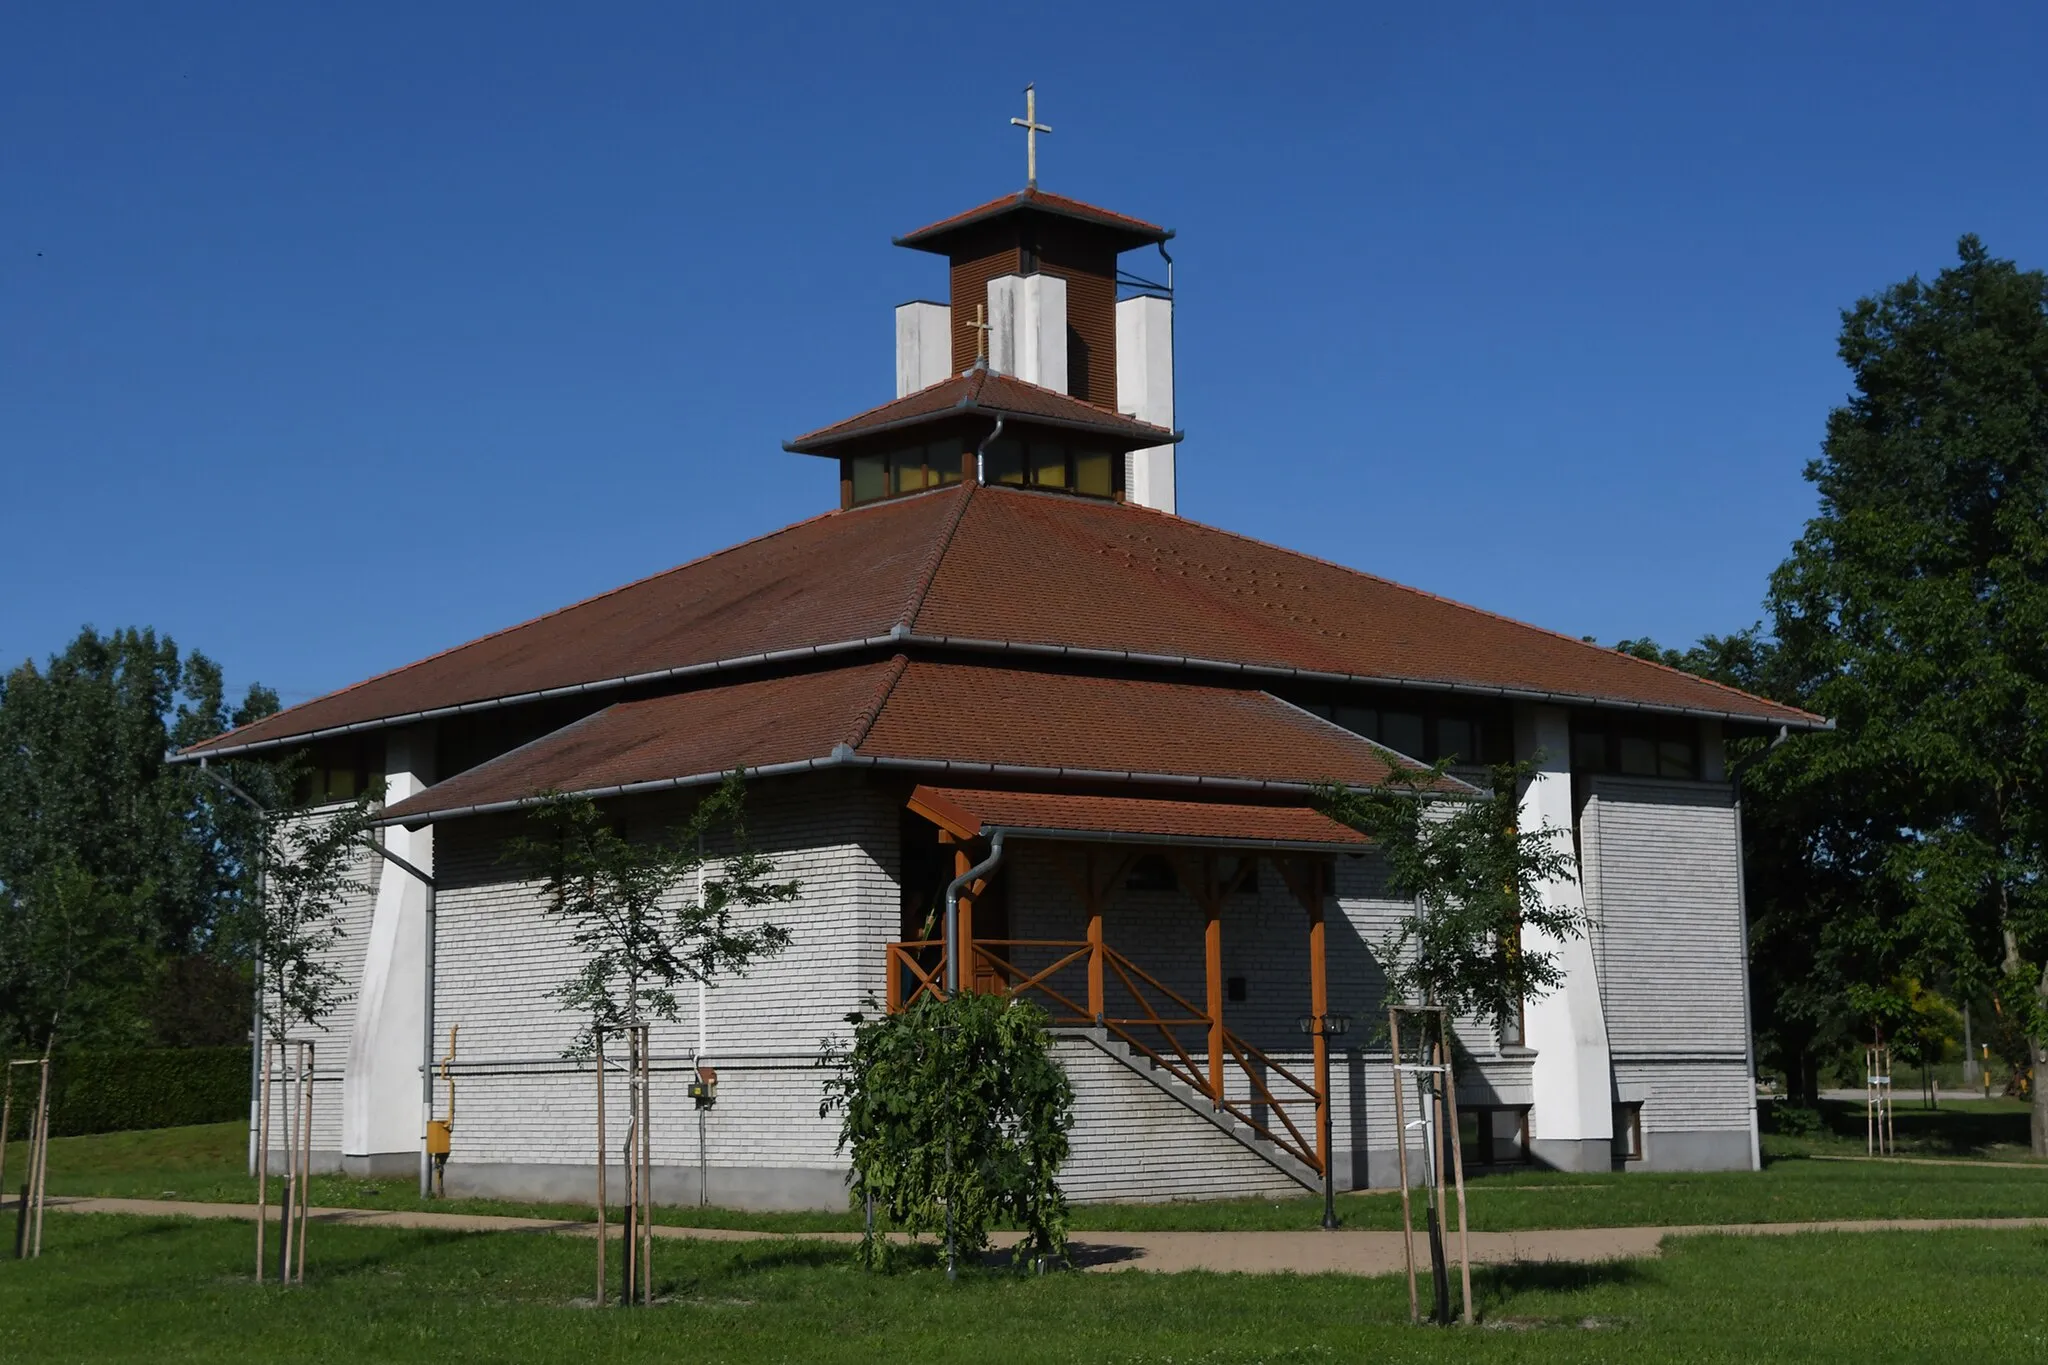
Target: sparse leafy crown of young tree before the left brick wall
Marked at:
640, 938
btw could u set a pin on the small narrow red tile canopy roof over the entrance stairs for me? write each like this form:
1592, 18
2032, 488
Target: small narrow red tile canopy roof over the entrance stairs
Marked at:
1134, 818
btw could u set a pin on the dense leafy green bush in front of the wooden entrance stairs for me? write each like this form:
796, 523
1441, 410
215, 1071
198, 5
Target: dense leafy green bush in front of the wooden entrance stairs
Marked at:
955, 1106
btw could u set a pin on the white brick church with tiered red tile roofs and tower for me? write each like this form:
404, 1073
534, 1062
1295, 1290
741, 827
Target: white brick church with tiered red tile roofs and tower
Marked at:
1002, 662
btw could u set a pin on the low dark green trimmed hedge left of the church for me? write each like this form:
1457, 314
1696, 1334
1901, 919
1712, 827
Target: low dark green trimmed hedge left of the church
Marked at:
97, 1092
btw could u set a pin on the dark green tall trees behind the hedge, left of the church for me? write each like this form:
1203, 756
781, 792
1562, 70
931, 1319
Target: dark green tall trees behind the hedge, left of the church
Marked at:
85, 791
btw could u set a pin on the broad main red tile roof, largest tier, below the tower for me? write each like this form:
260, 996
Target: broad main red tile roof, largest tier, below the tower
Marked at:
945, 570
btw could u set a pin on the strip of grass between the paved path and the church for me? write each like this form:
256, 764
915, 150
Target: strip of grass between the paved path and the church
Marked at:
208, 1163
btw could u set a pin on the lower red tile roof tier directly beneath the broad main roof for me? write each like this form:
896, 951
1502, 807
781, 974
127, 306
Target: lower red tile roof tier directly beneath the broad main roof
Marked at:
929, 717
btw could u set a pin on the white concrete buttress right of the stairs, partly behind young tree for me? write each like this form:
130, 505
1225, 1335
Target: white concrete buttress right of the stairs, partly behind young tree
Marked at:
1572, 1075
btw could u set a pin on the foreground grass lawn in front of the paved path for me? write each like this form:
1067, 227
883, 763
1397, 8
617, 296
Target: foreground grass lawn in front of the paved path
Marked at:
132, 1288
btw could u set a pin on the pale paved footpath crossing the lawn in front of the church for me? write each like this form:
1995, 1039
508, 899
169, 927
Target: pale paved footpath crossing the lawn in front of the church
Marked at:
1261, 1253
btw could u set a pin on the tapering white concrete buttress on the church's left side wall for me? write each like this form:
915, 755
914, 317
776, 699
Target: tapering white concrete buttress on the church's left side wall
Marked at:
382, 1086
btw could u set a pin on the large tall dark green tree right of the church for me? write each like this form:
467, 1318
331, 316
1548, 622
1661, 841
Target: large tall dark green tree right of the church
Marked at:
1916, 611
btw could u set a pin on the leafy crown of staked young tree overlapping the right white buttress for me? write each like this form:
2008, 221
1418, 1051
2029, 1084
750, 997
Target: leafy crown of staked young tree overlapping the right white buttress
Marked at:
1478, 883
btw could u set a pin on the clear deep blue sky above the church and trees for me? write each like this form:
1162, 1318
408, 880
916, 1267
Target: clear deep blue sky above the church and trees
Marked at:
335, 337
